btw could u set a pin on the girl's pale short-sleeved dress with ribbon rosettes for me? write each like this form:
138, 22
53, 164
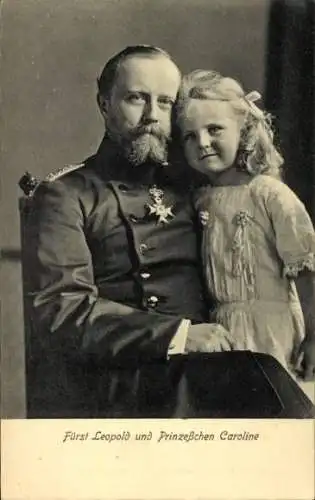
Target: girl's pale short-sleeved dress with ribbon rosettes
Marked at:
256, 239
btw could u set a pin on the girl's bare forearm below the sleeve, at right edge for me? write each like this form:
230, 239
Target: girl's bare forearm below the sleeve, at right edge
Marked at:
305, 284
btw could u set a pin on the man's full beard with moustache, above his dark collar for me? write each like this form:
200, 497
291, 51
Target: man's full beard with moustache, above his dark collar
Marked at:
145, 143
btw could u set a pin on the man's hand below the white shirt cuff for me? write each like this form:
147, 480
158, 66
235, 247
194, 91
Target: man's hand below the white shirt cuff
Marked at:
207, 337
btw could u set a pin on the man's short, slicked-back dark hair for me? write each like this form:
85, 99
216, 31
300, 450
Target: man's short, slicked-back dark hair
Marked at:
107, 78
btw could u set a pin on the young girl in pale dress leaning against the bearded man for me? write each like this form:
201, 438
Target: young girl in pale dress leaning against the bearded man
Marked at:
257, 236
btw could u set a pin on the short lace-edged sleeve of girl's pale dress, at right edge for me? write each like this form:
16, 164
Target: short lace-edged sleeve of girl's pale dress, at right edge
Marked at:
294, 231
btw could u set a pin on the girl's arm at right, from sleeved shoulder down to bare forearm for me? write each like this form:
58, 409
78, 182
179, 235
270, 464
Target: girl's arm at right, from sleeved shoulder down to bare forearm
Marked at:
295, 244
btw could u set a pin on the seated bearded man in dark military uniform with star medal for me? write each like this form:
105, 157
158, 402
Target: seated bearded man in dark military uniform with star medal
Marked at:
116, 283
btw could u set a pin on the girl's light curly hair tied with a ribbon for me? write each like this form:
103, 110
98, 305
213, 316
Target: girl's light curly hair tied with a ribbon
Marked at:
257, 153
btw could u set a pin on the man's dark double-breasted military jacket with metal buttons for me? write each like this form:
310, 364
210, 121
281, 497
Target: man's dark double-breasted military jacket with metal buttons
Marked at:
109, 284
